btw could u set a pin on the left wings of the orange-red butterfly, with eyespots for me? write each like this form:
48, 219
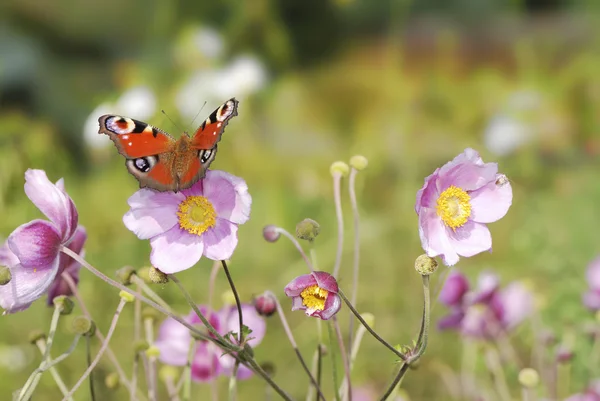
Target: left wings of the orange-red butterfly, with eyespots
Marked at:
148, 150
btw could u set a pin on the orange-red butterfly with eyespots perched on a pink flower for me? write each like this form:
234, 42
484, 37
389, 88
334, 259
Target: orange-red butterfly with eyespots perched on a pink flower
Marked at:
160, 162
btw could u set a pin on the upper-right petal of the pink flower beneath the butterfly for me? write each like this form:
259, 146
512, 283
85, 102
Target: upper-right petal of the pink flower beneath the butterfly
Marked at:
228, 195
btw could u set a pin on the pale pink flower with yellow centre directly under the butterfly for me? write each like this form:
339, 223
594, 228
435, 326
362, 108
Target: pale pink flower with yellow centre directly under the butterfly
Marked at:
184, 226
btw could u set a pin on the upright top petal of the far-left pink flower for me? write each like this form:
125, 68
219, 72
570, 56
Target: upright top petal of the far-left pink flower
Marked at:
52, 201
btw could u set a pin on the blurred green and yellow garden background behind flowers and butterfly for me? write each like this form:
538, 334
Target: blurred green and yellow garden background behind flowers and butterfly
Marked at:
408, 84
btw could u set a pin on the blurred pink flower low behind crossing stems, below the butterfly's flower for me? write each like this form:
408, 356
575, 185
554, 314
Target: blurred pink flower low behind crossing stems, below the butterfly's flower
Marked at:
209, 360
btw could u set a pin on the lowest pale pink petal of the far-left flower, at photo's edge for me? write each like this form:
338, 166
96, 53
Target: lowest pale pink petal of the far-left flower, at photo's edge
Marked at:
26, 285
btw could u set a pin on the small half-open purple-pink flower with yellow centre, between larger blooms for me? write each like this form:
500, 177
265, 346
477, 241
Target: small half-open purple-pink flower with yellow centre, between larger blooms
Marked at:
315, 293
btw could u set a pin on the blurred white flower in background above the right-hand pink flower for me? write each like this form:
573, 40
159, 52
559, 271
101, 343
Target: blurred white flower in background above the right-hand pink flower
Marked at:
506, 134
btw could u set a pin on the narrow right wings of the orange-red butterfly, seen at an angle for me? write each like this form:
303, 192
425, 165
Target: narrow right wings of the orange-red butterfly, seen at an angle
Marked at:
203, 145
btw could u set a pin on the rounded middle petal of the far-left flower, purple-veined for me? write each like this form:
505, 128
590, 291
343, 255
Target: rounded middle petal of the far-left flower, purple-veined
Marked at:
36, 244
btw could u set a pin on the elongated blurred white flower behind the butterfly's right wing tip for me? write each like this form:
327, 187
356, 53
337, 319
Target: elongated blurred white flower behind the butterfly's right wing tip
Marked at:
244, 76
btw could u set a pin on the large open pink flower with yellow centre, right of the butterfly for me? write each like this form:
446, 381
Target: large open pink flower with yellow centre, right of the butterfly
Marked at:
456, 202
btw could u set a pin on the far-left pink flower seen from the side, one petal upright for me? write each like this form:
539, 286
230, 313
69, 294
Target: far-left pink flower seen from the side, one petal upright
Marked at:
32, 251
